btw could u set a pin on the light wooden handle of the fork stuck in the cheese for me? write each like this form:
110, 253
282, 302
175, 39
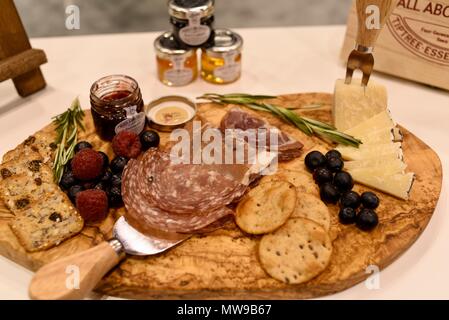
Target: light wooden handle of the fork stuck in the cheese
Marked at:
366, 36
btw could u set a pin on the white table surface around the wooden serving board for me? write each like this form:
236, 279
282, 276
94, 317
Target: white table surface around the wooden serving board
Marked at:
276, 61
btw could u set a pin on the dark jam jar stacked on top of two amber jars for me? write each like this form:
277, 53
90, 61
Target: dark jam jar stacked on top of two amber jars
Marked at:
192, 21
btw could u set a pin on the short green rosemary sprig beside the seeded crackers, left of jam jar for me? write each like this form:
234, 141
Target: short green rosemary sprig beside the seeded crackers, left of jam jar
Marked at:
67, 125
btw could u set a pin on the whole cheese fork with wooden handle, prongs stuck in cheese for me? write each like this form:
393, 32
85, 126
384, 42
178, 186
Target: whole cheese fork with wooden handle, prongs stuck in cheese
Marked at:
362, 56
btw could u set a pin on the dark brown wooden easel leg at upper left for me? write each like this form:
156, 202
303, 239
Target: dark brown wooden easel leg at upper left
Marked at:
18, 61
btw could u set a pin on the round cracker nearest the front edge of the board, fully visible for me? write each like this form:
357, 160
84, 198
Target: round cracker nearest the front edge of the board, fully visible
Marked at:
296, 252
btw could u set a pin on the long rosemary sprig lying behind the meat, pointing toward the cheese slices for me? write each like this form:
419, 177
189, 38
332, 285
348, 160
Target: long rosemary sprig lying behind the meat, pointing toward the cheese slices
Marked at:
306, 125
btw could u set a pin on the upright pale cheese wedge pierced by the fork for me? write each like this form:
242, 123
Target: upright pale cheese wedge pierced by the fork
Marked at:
354, 104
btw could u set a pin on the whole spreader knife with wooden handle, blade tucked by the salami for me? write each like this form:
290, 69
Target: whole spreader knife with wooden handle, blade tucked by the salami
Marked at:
75, 276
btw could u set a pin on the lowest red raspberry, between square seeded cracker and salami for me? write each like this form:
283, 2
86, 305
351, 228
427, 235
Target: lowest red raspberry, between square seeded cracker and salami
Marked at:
92, 205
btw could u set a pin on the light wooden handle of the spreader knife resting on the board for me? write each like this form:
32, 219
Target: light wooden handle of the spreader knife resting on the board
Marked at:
75, 276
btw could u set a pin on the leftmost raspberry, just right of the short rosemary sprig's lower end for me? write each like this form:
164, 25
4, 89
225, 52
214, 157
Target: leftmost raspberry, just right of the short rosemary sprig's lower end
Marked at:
87, 164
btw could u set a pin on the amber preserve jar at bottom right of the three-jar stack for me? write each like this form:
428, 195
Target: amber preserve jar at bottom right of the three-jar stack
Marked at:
221, 63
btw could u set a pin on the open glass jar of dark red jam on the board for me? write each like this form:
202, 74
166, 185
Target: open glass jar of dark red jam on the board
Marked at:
116, 105
